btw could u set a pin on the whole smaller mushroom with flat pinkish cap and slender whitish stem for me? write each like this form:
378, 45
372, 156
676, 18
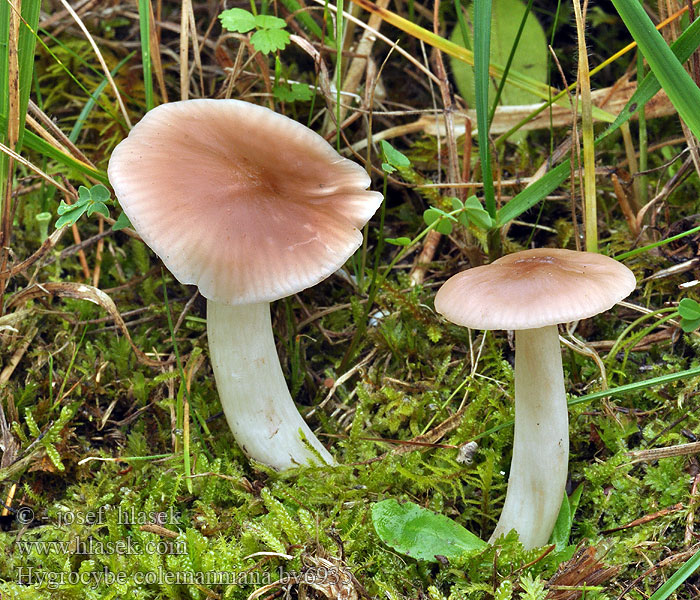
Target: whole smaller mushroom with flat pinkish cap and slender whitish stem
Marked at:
531, 292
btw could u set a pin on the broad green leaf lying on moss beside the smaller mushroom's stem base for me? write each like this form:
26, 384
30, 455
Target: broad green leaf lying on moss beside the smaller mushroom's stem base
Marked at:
420, 533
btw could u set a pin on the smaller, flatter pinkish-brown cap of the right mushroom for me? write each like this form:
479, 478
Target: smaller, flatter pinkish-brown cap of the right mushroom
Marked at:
534, 288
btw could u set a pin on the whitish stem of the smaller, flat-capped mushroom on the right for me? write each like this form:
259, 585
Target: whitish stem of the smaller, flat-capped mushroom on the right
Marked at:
541, 441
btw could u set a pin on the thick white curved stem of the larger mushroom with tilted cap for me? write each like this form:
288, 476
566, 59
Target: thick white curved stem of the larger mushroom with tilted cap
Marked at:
253, 391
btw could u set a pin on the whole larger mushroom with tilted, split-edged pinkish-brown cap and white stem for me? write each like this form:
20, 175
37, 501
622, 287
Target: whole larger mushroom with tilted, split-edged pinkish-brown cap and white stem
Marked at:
251, 207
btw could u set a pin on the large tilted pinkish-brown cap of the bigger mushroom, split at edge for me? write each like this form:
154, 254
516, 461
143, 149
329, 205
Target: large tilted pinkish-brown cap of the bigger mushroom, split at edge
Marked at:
241, 201
